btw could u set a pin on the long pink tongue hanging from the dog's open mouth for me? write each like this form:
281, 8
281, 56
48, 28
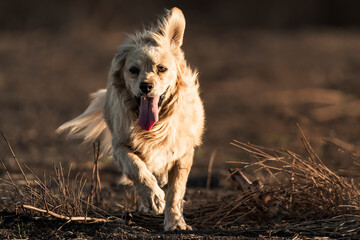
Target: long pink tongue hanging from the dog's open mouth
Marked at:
149, 112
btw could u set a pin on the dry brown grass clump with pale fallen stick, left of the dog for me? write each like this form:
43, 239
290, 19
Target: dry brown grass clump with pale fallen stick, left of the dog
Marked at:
58, 195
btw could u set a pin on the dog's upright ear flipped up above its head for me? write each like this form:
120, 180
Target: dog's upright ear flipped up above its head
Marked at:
174, 26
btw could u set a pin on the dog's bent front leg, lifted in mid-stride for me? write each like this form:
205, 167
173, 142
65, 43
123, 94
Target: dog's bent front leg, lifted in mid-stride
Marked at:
145, 183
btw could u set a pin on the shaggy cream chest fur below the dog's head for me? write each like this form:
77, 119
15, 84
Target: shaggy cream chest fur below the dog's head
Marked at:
169, 139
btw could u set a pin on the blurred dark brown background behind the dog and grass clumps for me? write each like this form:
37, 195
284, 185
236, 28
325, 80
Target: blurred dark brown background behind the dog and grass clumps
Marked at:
264, 66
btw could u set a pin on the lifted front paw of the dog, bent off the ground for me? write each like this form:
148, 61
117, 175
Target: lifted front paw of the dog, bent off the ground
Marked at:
153, 201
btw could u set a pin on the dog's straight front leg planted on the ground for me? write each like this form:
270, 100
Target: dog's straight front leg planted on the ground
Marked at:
174, 219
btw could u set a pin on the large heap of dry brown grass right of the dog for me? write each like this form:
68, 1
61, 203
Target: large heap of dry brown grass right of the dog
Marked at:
303, 196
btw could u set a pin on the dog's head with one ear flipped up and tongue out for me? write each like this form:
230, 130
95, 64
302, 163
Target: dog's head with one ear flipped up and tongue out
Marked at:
149, 64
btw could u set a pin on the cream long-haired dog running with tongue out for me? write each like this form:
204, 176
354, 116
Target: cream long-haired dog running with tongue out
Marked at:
150, 117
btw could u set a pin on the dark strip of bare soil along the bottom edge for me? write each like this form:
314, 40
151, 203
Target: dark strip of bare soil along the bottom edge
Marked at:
23, 227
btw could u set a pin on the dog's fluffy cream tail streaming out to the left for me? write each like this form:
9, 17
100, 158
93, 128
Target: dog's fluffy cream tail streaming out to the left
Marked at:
90, 126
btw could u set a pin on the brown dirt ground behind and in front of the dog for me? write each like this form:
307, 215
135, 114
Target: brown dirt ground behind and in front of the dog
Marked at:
256, 85
